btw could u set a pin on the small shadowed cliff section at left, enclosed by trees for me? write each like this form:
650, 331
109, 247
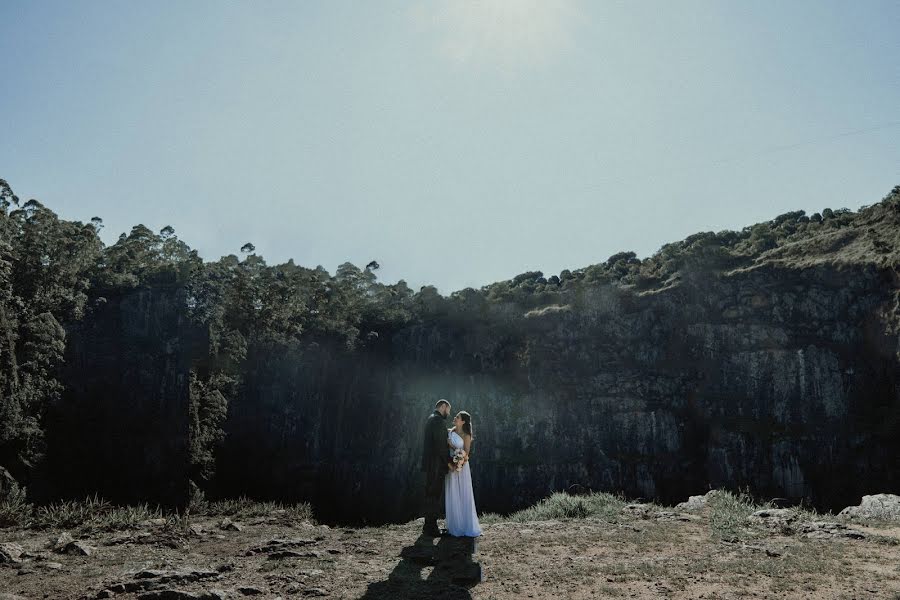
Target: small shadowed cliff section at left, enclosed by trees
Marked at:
121, 429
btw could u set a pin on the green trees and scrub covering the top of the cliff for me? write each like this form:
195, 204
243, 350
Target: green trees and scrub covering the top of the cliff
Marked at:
54, 273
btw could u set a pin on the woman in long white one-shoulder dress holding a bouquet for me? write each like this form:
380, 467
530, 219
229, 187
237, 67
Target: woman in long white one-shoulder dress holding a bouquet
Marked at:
462, 519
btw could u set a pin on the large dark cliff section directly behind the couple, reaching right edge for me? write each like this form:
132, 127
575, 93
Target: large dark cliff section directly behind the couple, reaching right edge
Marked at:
776, 378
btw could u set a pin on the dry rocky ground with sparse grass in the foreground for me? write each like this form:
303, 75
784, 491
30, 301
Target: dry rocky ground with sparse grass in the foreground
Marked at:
648, 553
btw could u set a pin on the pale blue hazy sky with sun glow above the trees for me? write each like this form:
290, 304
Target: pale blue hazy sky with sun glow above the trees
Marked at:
457, 143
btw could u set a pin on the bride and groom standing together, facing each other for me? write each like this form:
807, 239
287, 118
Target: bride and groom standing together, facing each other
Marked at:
445, 460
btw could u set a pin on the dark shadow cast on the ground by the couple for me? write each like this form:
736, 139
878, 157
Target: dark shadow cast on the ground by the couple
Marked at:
444, 570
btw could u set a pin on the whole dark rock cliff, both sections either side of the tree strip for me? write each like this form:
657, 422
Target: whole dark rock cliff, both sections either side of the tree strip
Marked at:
779, 374
